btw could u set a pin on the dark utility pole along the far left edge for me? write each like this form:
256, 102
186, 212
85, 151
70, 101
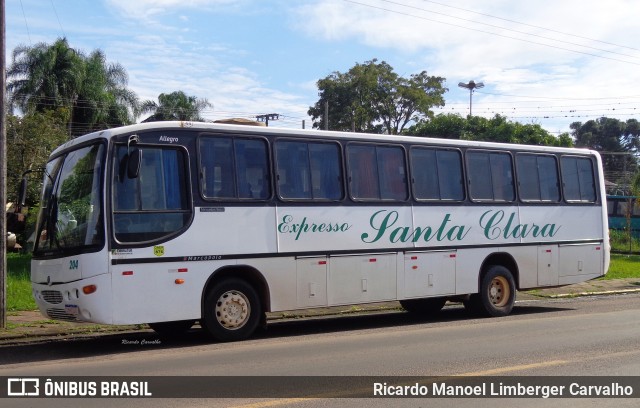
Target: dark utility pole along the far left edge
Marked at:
3, 173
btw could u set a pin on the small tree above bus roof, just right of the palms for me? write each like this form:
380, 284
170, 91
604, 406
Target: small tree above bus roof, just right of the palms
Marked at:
175, 106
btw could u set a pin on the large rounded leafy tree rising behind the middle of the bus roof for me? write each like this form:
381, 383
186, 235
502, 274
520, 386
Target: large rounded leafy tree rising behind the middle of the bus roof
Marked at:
370, 97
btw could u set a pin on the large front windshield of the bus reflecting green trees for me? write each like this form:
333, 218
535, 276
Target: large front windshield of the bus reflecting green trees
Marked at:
70, 219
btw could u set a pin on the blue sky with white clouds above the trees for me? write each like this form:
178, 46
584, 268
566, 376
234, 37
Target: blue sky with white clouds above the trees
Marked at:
548, 62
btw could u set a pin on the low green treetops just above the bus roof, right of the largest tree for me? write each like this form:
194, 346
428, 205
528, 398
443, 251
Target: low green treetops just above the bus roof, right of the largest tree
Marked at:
496, 129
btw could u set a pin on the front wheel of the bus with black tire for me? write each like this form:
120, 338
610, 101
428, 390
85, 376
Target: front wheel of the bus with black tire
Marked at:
232, 310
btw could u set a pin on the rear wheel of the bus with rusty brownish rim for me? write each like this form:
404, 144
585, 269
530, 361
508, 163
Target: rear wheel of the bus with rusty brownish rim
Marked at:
497, 292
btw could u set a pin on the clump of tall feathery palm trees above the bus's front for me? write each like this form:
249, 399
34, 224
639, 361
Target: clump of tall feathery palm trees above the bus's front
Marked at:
93, 92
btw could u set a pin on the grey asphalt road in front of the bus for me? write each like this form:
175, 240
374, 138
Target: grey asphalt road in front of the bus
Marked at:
591, 336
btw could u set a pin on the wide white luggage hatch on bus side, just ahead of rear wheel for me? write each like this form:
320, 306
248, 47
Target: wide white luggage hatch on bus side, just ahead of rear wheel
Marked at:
429, 273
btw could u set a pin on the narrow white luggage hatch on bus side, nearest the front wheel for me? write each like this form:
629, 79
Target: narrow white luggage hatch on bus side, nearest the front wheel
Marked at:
311, 281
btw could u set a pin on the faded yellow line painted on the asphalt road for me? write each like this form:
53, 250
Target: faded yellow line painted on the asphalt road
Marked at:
495, 371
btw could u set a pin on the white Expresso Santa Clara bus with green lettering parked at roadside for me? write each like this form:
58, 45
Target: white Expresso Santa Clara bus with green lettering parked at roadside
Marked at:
169, 223
